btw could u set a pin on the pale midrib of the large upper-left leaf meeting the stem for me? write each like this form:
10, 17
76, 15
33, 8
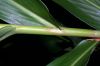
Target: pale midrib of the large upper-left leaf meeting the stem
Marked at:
32, 14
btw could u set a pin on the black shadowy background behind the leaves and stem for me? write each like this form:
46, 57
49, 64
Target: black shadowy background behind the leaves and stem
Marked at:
30, 49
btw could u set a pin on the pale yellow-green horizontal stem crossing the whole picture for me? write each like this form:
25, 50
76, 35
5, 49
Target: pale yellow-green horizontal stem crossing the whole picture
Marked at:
54, 31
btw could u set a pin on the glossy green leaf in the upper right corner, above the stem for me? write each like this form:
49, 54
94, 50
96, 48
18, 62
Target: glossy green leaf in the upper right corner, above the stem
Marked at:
86, 10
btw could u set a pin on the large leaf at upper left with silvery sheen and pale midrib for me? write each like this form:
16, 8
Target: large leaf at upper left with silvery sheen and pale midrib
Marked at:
26, 12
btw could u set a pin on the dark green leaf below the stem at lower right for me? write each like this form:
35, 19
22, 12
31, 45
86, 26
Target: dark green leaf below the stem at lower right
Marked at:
78, 56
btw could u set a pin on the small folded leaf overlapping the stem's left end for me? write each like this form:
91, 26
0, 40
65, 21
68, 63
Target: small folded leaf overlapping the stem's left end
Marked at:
6, 32
